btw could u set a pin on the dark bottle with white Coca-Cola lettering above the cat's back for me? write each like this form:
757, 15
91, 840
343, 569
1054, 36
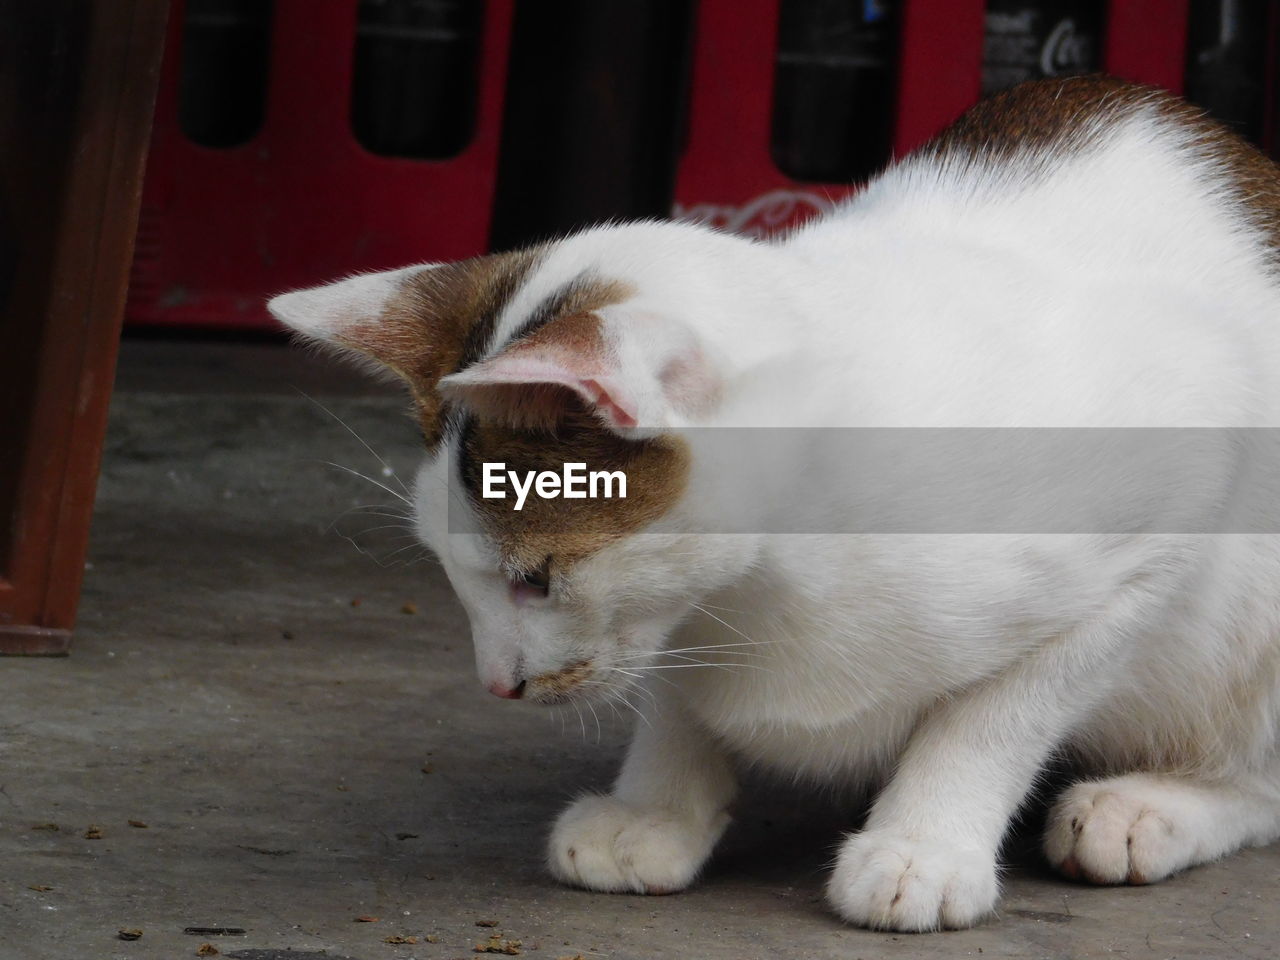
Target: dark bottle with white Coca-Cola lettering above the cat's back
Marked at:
1031, 39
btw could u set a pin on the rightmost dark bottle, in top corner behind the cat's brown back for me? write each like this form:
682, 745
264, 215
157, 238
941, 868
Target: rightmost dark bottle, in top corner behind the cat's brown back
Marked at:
1227, 61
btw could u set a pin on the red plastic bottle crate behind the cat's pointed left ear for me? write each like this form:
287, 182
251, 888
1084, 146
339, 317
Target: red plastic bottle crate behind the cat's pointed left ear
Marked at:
301, 203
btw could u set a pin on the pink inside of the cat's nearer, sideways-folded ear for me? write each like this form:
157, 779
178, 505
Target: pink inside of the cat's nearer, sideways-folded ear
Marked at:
538, 372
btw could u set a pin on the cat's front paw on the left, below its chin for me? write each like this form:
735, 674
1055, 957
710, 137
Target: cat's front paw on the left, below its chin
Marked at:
605, 844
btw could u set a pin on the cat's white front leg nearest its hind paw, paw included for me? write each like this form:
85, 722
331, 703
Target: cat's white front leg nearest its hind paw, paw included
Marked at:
926, 858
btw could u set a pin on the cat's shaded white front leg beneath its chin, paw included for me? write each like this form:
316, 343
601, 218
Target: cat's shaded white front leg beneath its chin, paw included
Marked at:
659, 826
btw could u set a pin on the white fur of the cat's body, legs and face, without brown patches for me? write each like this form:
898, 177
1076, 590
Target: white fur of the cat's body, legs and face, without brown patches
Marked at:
1122, 289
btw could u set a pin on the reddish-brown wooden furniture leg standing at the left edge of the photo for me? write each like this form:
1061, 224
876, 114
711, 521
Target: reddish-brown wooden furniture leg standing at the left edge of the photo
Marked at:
77, 90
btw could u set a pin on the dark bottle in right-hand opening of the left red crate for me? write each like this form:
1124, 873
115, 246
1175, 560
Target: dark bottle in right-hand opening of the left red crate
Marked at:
414, 92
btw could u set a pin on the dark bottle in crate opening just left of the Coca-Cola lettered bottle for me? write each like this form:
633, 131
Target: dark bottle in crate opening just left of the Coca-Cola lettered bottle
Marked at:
835, 89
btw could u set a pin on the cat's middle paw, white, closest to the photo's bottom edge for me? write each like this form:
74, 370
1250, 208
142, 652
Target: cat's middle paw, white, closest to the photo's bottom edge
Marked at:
895, 883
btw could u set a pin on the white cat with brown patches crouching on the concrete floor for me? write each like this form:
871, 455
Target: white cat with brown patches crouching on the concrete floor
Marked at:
1072, 254
